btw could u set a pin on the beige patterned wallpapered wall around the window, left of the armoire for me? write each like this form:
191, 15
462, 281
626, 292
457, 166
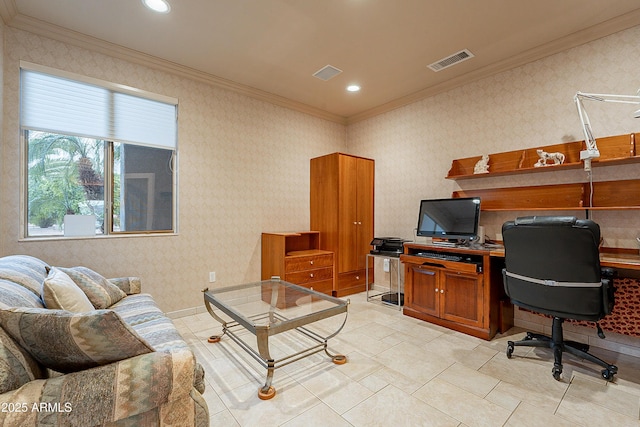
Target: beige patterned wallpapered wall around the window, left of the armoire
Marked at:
243, 169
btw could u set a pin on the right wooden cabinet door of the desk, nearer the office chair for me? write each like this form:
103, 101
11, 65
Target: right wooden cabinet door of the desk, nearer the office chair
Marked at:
462, 300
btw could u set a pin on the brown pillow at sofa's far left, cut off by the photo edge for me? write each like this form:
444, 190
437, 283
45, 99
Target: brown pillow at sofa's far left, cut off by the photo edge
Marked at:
17, 367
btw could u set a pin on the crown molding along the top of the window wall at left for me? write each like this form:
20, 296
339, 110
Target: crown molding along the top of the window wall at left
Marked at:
45, 29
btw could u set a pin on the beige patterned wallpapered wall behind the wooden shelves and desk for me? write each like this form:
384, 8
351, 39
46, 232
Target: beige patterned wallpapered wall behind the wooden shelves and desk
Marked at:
526, 107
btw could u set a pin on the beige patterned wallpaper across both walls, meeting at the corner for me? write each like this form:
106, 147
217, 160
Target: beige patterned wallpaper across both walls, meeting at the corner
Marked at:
244, 164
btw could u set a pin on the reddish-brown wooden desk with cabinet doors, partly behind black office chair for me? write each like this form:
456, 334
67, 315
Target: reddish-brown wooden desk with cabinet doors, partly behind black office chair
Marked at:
470, 298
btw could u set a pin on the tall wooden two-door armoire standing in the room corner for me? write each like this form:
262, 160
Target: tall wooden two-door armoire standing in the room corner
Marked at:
342, 188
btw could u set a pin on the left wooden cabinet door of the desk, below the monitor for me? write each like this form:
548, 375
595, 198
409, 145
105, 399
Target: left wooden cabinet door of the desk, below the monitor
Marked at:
421, 289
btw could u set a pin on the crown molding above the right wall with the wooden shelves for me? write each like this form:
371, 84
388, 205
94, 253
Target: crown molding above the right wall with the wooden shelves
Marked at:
612, 26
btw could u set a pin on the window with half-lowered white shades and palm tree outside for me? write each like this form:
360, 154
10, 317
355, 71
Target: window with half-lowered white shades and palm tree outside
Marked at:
98, 155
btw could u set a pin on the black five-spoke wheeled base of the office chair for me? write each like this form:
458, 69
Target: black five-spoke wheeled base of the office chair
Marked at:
558, 345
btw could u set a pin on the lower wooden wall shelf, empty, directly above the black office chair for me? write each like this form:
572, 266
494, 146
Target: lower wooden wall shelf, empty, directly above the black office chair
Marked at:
623, 194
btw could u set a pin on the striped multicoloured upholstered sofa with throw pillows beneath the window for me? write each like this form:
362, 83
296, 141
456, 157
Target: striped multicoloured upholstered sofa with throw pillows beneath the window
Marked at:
116, 362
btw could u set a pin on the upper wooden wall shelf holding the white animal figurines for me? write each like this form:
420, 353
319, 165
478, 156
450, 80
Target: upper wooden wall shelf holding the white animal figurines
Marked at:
614, 150
